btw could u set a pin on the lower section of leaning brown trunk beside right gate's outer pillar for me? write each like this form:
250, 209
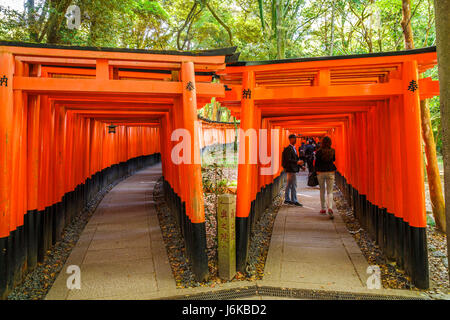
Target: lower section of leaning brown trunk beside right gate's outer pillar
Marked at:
434, 179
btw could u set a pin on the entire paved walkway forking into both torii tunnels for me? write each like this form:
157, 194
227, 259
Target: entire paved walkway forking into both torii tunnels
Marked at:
122, 255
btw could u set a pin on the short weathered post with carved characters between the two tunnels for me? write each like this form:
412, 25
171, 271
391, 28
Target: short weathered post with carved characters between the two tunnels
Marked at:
226, 213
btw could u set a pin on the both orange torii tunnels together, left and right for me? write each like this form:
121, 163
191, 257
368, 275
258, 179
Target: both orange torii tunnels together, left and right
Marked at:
58, 105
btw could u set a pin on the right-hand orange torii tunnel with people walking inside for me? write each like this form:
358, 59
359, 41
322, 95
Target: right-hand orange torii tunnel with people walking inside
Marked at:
369, 105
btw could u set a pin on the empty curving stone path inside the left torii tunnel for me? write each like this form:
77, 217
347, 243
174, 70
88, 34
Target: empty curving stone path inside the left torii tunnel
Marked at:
121, 252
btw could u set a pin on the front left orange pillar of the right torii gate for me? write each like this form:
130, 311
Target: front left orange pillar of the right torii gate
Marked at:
246, 171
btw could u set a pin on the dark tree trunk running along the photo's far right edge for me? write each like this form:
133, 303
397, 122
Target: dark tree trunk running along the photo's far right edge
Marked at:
442, 8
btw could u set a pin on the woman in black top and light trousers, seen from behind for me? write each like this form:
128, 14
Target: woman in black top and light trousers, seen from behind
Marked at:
325, 169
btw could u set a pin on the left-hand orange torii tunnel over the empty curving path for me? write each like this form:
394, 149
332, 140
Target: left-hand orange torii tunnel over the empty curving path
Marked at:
58, 107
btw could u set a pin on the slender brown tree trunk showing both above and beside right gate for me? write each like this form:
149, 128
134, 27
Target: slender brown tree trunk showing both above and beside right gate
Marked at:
434, 180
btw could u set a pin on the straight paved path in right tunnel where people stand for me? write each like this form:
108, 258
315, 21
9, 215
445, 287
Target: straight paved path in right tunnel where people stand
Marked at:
310, 250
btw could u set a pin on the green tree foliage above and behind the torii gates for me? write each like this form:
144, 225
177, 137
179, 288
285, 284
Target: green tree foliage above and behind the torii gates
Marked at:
261, 29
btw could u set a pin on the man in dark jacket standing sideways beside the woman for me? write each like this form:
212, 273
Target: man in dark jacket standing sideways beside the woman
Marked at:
291, 164
